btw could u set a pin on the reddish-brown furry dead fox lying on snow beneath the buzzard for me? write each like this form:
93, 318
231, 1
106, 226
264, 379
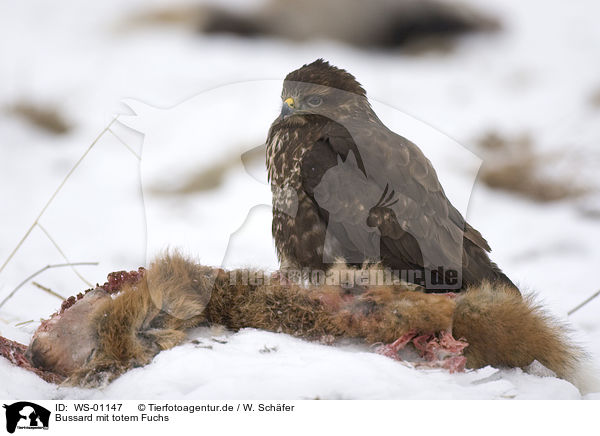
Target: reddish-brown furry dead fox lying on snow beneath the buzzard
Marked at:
128, 330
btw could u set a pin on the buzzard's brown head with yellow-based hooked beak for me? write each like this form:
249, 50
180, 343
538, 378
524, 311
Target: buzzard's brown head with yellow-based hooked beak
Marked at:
321, 89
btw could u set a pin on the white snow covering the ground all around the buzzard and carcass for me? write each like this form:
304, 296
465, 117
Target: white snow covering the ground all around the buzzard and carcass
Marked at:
537, 76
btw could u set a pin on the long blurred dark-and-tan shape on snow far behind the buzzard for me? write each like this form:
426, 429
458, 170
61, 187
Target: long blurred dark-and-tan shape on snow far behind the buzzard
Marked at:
411, 24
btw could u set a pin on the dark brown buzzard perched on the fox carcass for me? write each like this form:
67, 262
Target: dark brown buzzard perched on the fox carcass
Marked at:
347, 188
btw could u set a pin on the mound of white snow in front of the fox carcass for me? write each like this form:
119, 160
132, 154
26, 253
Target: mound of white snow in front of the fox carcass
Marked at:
238, 370
